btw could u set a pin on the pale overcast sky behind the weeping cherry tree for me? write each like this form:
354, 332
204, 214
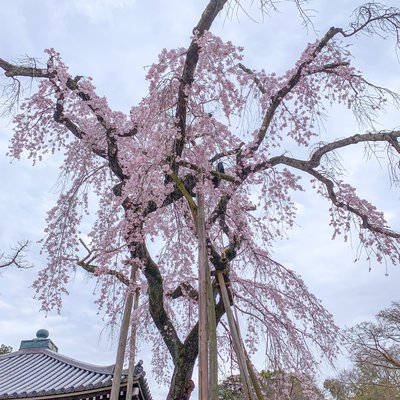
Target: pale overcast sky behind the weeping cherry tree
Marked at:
112, 41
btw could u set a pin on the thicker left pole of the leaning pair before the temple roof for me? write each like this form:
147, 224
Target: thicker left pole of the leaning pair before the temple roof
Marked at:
123, 334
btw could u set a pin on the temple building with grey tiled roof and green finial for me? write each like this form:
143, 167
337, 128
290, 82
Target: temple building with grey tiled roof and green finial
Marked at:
38, 372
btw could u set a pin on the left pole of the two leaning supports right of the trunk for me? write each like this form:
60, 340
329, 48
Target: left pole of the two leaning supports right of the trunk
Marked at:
237, 344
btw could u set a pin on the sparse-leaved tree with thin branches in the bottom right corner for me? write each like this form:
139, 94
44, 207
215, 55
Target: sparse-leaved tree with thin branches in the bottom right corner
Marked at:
375, 352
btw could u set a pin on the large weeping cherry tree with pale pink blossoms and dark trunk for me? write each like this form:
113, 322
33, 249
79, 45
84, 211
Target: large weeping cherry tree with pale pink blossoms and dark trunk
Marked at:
139, 174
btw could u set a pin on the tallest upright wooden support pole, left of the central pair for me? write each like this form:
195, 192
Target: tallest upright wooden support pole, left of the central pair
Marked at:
203, 339
